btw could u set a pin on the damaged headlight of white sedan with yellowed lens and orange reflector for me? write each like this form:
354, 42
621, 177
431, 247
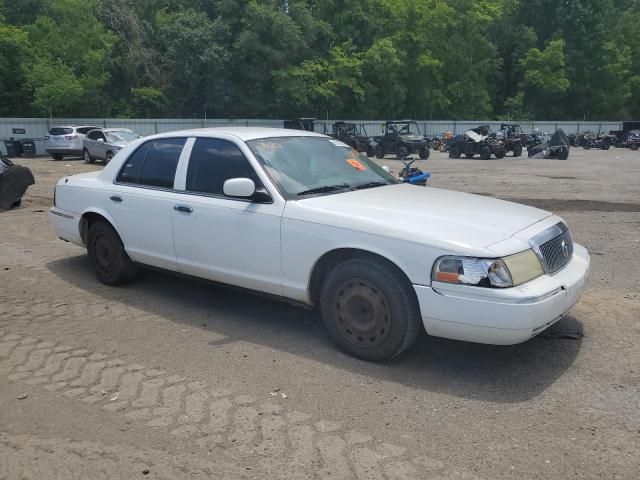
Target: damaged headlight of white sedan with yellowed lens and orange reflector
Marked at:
502, 272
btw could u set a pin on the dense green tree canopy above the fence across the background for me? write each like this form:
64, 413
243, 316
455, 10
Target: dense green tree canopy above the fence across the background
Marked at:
426, 59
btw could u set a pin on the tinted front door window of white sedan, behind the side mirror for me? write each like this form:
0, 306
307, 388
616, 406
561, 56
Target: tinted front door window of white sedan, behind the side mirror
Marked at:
212, 162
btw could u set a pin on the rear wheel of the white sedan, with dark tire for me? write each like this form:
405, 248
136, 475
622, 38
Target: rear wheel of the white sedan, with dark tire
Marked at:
106, 252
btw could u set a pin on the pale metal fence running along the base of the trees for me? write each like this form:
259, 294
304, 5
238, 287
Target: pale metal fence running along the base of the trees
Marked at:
37, 128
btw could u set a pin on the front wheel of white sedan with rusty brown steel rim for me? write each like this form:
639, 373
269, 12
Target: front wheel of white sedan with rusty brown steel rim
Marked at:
369, 309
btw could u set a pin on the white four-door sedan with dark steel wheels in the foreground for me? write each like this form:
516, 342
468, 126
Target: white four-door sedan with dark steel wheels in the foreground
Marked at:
302, 217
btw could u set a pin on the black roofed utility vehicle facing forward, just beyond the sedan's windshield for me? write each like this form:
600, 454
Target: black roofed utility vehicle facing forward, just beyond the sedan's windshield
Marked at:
401, 138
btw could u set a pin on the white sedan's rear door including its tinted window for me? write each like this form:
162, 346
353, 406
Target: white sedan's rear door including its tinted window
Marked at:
142, 201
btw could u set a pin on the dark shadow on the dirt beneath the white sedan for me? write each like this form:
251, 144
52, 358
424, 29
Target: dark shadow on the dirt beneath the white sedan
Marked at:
504, 374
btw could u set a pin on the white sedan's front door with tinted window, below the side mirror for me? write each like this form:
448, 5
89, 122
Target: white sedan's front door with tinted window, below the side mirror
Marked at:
229, 240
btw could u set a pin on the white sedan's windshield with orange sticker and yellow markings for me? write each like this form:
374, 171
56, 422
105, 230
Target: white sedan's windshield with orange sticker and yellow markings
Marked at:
302, 166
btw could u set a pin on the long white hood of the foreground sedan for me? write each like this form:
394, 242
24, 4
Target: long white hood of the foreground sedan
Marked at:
452, 221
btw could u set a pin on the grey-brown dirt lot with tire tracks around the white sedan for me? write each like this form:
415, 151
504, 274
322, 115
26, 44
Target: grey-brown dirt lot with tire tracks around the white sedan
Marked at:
172, 378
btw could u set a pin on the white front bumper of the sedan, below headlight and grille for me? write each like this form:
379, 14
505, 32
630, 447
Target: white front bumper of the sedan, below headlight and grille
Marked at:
503, 316
